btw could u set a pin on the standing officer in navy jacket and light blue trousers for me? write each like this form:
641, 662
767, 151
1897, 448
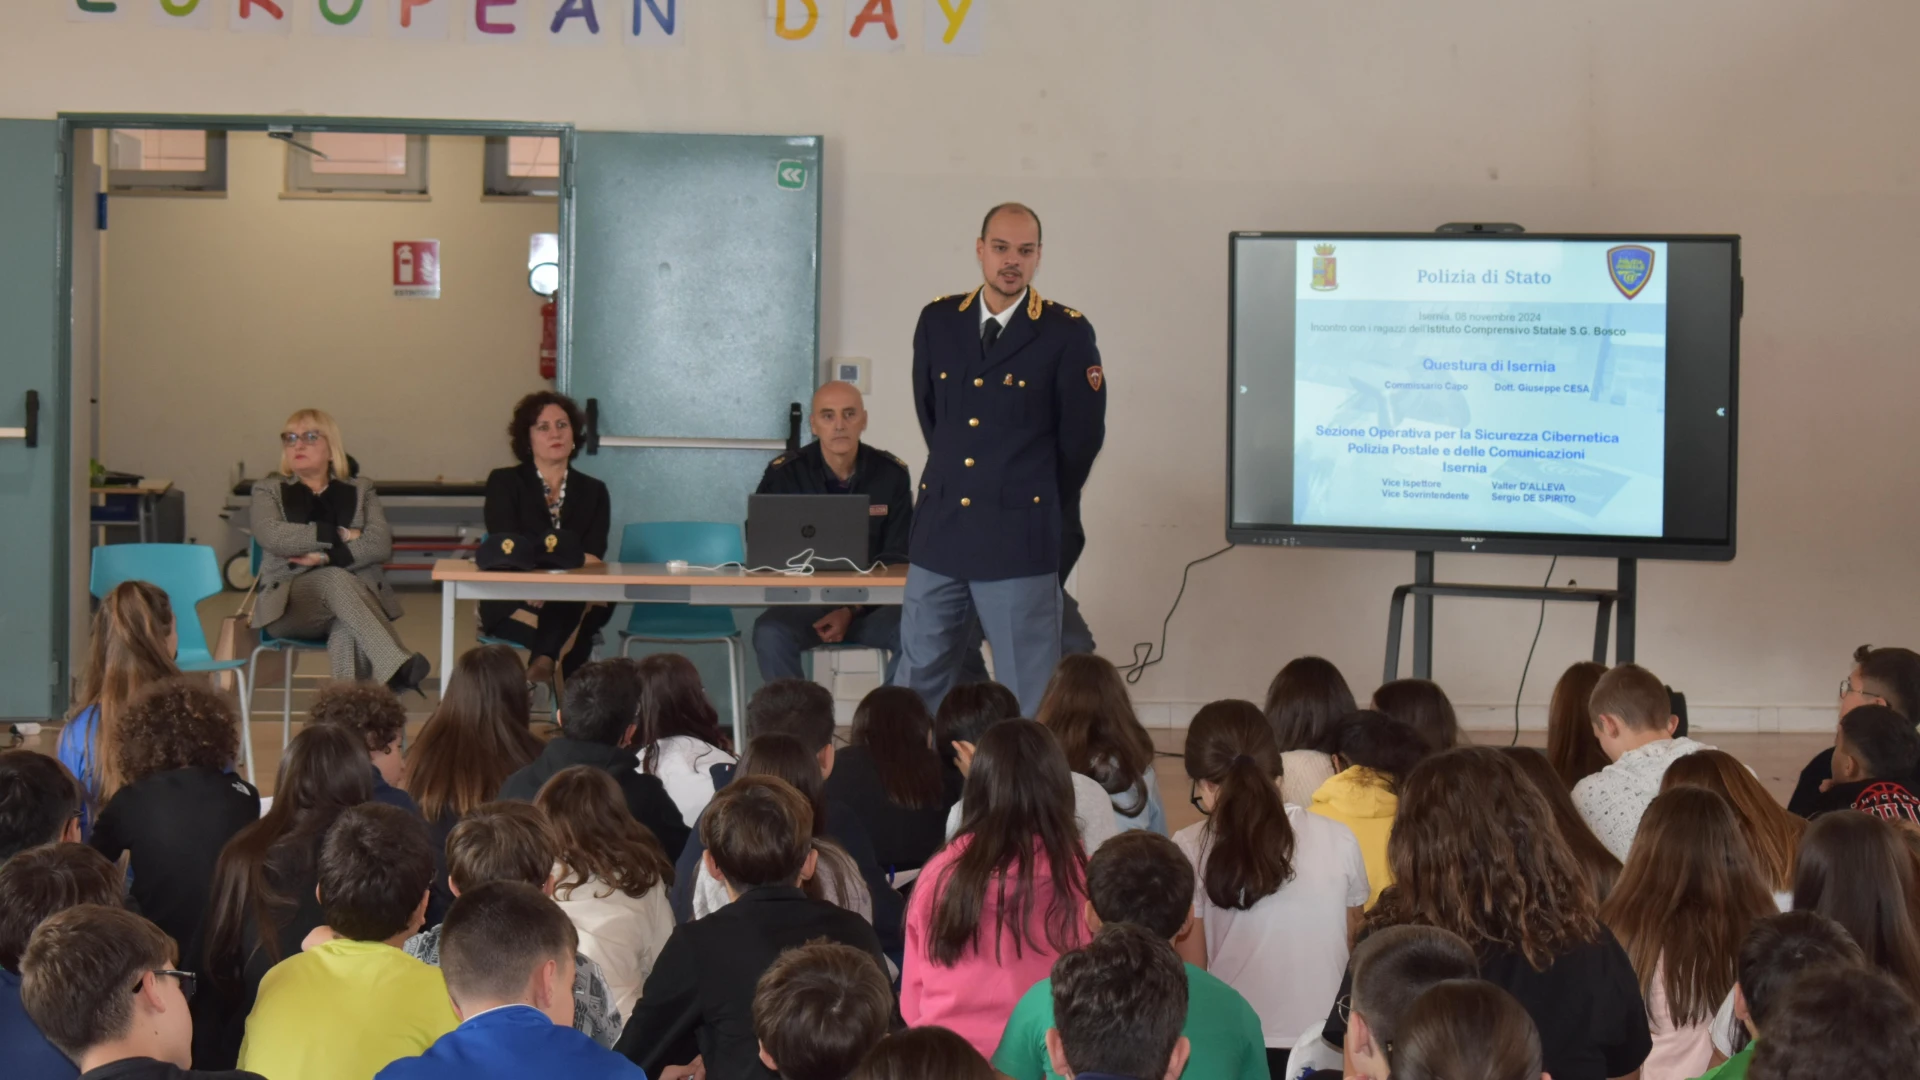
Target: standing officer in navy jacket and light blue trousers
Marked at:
1013, 405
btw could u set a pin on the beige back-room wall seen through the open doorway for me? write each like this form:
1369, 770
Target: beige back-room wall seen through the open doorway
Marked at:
228, 314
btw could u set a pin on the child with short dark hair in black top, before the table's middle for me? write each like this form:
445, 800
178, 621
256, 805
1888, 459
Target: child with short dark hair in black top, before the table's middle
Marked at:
598, 729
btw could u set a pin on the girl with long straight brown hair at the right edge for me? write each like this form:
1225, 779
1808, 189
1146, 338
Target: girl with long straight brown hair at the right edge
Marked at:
1858, 871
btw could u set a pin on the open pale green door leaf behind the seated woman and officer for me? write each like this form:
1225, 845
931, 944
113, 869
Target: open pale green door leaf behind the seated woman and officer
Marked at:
692, 322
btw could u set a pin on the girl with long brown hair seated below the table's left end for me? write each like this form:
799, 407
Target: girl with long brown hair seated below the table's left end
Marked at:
477, 737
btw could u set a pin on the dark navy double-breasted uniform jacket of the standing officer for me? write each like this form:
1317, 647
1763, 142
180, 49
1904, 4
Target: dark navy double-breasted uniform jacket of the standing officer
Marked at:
1011, 433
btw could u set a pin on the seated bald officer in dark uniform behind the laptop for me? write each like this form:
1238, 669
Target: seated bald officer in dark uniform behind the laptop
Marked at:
838, 464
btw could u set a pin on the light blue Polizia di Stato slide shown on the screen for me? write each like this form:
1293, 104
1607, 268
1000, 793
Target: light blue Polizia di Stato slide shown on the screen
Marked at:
1479, 387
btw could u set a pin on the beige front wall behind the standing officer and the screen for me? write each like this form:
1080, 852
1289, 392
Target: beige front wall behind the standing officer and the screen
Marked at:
1147, 132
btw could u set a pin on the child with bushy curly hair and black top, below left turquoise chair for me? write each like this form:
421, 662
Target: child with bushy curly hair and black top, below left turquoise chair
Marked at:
180, 804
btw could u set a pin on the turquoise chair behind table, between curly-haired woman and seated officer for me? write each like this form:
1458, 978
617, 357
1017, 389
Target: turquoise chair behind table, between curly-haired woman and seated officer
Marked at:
702, 545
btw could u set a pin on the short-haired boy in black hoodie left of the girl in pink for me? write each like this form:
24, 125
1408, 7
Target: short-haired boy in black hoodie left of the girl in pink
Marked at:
700, 996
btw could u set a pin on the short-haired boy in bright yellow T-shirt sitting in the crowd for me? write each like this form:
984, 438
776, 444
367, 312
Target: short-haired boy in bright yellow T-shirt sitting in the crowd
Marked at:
347, 1008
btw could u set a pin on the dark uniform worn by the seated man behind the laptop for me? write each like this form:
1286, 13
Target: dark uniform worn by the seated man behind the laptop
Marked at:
780, 635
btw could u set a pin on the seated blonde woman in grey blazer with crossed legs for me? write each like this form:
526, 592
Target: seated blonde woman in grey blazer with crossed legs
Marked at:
324, 539
